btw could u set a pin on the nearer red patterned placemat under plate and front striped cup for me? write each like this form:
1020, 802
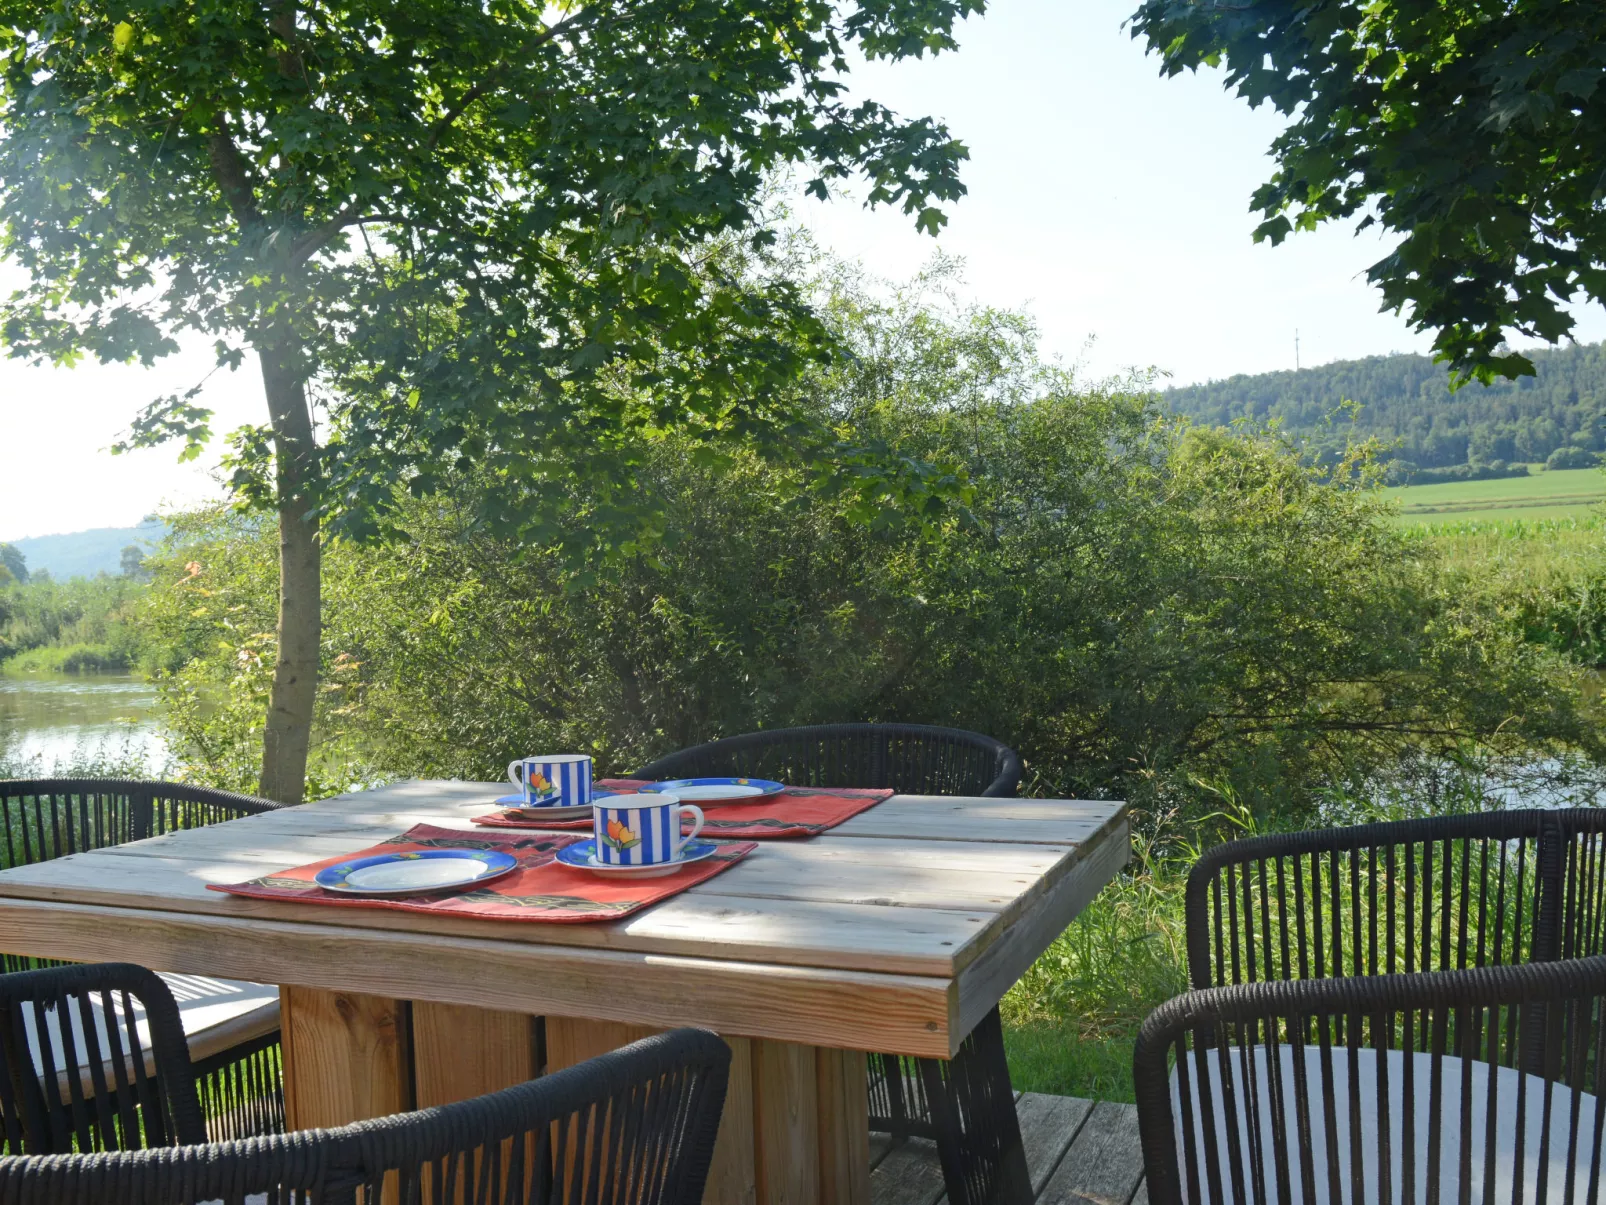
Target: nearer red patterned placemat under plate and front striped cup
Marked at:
539, 891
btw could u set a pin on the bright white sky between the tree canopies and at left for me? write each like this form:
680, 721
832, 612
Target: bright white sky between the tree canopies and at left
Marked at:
1109, 202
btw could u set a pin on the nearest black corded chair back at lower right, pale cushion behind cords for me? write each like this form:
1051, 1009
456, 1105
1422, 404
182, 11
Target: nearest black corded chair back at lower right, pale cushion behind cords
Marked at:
1440, 1087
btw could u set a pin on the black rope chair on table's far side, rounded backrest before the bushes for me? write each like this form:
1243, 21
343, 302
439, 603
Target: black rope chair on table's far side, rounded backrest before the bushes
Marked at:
964, 1106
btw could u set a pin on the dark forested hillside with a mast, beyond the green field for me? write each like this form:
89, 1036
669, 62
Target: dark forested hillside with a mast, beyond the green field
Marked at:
1408, 399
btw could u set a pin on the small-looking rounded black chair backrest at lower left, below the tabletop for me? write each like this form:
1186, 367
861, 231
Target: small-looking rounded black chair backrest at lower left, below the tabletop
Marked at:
94, 1058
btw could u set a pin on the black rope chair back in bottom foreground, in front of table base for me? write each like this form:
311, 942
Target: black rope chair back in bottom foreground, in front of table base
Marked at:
637, 1125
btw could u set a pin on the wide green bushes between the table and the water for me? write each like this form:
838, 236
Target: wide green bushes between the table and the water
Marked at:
1133, 605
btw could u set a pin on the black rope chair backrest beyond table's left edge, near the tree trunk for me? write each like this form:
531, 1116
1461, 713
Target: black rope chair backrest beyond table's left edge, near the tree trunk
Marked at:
52, 817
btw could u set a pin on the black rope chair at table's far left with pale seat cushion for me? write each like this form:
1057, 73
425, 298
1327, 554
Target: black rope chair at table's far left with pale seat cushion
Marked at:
237, 1060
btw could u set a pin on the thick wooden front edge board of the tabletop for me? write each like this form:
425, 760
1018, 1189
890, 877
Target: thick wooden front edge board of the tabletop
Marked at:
847, 1010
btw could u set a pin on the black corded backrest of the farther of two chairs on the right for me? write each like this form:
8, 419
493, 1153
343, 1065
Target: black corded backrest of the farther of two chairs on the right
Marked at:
1437, 894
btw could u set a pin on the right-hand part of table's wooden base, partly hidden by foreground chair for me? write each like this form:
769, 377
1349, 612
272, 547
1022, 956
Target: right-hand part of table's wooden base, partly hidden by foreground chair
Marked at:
796, 1124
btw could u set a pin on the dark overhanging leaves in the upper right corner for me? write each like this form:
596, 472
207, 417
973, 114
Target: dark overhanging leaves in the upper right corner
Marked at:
1475, 129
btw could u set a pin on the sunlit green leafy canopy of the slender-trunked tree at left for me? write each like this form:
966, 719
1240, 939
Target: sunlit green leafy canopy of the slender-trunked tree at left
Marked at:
475, 226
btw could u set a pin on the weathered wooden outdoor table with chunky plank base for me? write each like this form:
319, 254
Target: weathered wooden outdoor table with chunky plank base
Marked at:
894, 933
